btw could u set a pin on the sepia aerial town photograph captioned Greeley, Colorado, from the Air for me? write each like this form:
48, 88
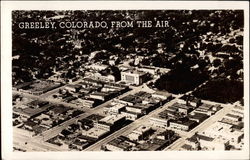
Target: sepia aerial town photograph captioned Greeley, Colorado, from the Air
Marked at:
127, 80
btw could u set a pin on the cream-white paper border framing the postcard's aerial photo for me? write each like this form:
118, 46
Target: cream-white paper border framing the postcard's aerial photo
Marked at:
6, 88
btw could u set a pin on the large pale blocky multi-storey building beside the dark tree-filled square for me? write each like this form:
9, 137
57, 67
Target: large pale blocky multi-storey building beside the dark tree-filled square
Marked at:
133, 77
